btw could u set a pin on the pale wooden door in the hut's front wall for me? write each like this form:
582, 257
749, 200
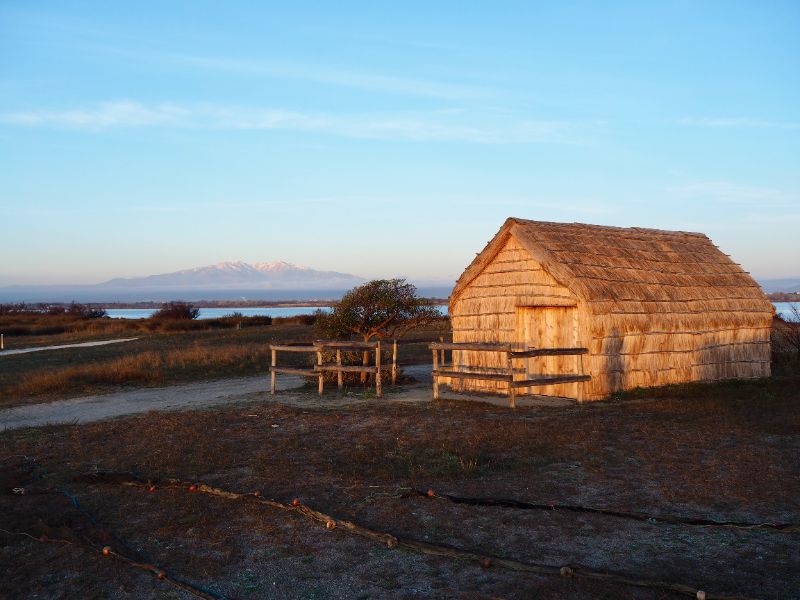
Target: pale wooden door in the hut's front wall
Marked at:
549, 327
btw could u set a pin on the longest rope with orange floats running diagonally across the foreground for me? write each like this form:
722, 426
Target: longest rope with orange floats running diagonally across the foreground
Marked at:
392, 541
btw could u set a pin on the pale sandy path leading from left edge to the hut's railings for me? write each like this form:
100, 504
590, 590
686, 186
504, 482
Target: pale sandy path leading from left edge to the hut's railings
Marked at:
86, 409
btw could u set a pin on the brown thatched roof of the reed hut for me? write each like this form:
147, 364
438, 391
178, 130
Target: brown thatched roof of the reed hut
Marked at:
630, 270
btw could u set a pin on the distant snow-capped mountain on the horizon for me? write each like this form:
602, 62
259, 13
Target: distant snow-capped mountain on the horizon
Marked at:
238, 274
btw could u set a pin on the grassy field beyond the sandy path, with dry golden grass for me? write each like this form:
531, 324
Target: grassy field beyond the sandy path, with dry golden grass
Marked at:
158, 358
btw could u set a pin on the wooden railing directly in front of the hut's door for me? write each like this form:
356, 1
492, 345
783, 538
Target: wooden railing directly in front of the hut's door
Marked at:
504, 373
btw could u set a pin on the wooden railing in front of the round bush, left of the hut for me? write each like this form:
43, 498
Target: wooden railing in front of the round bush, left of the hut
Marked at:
319, 369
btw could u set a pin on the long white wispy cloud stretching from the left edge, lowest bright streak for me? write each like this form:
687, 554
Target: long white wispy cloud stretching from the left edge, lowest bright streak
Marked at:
431, 126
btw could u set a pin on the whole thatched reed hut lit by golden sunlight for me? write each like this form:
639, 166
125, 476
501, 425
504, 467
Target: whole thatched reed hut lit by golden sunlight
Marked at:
652, 307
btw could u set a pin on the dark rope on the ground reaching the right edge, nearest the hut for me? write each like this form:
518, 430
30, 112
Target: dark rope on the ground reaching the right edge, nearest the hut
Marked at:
638, 516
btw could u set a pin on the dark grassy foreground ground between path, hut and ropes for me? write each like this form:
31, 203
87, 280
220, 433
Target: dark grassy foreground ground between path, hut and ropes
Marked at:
727, 451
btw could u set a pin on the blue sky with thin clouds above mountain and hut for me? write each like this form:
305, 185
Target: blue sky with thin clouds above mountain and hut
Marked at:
388, 139
